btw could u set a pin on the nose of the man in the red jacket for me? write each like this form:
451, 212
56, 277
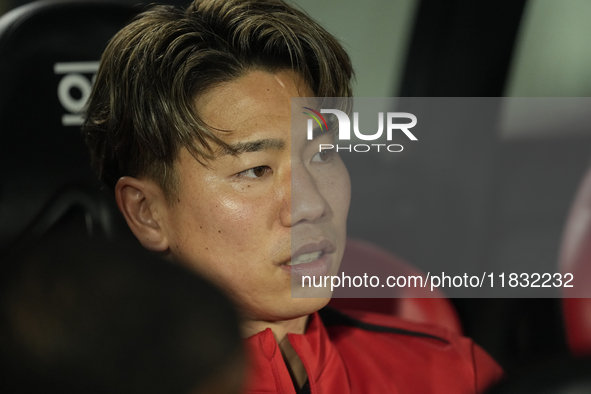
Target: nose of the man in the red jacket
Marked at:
307, 203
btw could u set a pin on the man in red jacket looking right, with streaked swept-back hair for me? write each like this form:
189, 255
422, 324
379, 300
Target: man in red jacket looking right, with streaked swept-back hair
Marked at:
190, 122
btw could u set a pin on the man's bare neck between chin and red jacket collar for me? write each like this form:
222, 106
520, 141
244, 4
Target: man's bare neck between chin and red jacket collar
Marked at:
280, 330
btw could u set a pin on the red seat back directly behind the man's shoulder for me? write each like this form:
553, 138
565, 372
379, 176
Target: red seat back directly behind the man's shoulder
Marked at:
411, 303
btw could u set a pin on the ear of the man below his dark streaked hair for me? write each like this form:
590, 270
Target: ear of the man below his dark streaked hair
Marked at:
143, 204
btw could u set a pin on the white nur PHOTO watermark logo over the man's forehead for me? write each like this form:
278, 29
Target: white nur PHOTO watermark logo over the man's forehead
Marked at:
344, 125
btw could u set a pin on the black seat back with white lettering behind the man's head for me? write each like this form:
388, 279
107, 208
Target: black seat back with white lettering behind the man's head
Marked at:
49, 53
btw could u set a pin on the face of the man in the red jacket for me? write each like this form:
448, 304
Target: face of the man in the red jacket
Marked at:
244, 221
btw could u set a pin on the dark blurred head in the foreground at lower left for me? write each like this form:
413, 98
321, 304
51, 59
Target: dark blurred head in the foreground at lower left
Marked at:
81, 316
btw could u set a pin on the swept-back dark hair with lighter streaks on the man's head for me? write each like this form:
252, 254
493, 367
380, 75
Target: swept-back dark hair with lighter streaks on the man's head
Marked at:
141, 111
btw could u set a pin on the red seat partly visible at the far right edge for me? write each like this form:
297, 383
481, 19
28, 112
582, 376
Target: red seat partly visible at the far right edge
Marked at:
575, 258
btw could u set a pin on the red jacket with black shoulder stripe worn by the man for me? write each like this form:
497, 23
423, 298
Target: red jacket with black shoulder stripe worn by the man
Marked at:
369, 353
